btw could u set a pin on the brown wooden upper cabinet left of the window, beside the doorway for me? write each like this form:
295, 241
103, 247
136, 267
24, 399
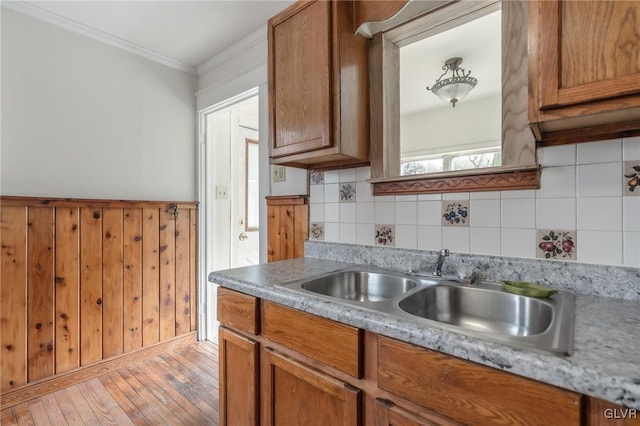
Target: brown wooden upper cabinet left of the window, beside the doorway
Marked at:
318, 86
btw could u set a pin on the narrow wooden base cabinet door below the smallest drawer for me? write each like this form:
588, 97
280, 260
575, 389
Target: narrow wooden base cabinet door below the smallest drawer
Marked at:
239, 379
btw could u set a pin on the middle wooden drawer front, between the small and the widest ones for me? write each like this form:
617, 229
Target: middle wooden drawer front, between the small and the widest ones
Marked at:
334, 344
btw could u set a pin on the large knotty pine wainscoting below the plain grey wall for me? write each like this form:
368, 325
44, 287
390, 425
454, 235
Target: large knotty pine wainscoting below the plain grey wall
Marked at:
82, 281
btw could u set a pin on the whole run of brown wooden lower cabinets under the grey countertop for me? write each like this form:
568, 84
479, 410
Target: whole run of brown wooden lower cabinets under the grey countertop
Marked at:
281, 366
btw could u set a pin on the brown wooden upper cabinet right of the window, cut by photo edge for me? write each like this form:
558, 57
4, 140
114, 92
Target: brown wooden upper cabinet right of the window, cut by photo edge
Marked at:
584, 70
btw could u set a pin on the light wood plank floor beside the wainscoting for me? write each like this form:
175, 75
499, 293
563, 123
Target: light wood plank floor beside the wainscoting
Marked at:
177, 388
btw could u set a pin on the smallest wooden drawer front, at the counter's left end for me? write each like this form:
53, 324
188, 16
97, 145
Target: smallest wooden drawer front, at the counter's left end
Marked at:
238, 311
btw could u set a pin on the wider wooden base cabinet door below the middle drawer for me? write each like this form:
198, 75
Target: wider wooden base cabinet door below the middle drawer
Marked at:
294, 394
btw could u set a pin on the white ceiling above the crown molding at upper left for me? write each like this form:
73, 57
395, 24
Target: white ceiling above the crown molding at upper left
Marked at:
188, 32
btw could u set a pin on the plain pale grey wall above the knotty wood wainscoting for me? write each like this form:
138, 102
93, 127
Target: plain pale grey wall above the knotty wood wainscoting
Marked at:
84, 119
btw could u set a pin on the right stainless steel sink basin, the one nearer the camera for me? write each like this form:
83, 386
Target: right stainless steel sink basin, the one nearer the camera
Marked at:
480, 309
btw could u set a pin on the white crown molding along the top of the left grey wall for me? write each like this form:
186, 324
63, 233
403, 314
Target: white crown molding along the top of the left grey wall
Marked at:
87, 31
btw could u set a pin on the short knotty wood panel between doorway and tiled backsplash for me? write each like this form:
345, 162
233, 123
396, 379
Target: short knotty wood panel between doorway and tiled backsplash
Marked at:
287, 226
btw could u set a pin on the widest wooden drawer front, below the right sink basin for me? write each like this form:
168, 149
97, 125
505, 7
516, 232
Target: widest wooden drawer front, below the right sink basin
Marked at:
468, 392
